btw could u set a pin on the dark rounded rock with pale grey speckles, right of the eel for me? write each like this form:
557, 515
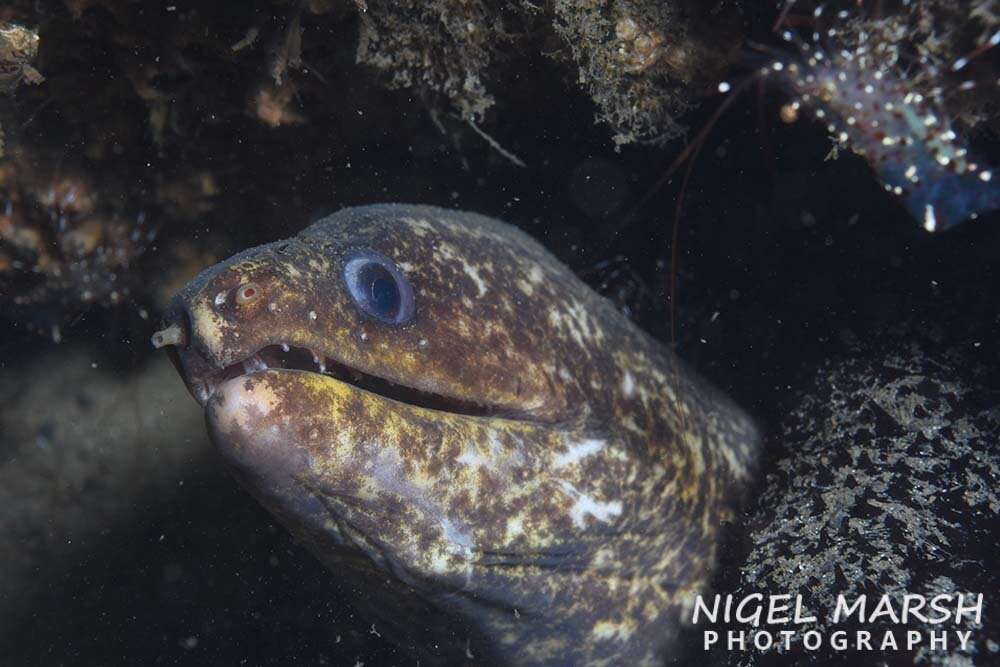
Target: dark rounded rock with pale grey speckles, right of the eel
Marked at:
887, 486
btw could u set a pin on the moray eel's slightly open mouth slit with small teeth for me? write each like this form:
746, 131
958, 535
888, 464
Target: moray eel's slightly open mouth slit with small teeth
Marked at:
203, 378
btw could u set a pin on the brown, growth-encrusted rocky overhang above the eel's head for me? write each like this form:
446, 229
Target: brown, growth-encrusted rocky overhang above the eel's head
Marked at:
156, 116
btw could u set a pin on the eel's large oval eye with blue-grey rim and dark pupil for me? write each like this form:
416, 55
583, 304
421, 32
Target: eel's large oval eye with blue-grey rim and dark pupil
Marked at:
378, 287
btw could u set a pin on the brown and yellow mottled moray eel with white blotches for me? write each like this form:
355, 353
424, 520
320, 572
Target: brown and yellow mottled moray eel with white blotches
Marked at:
498, 464
